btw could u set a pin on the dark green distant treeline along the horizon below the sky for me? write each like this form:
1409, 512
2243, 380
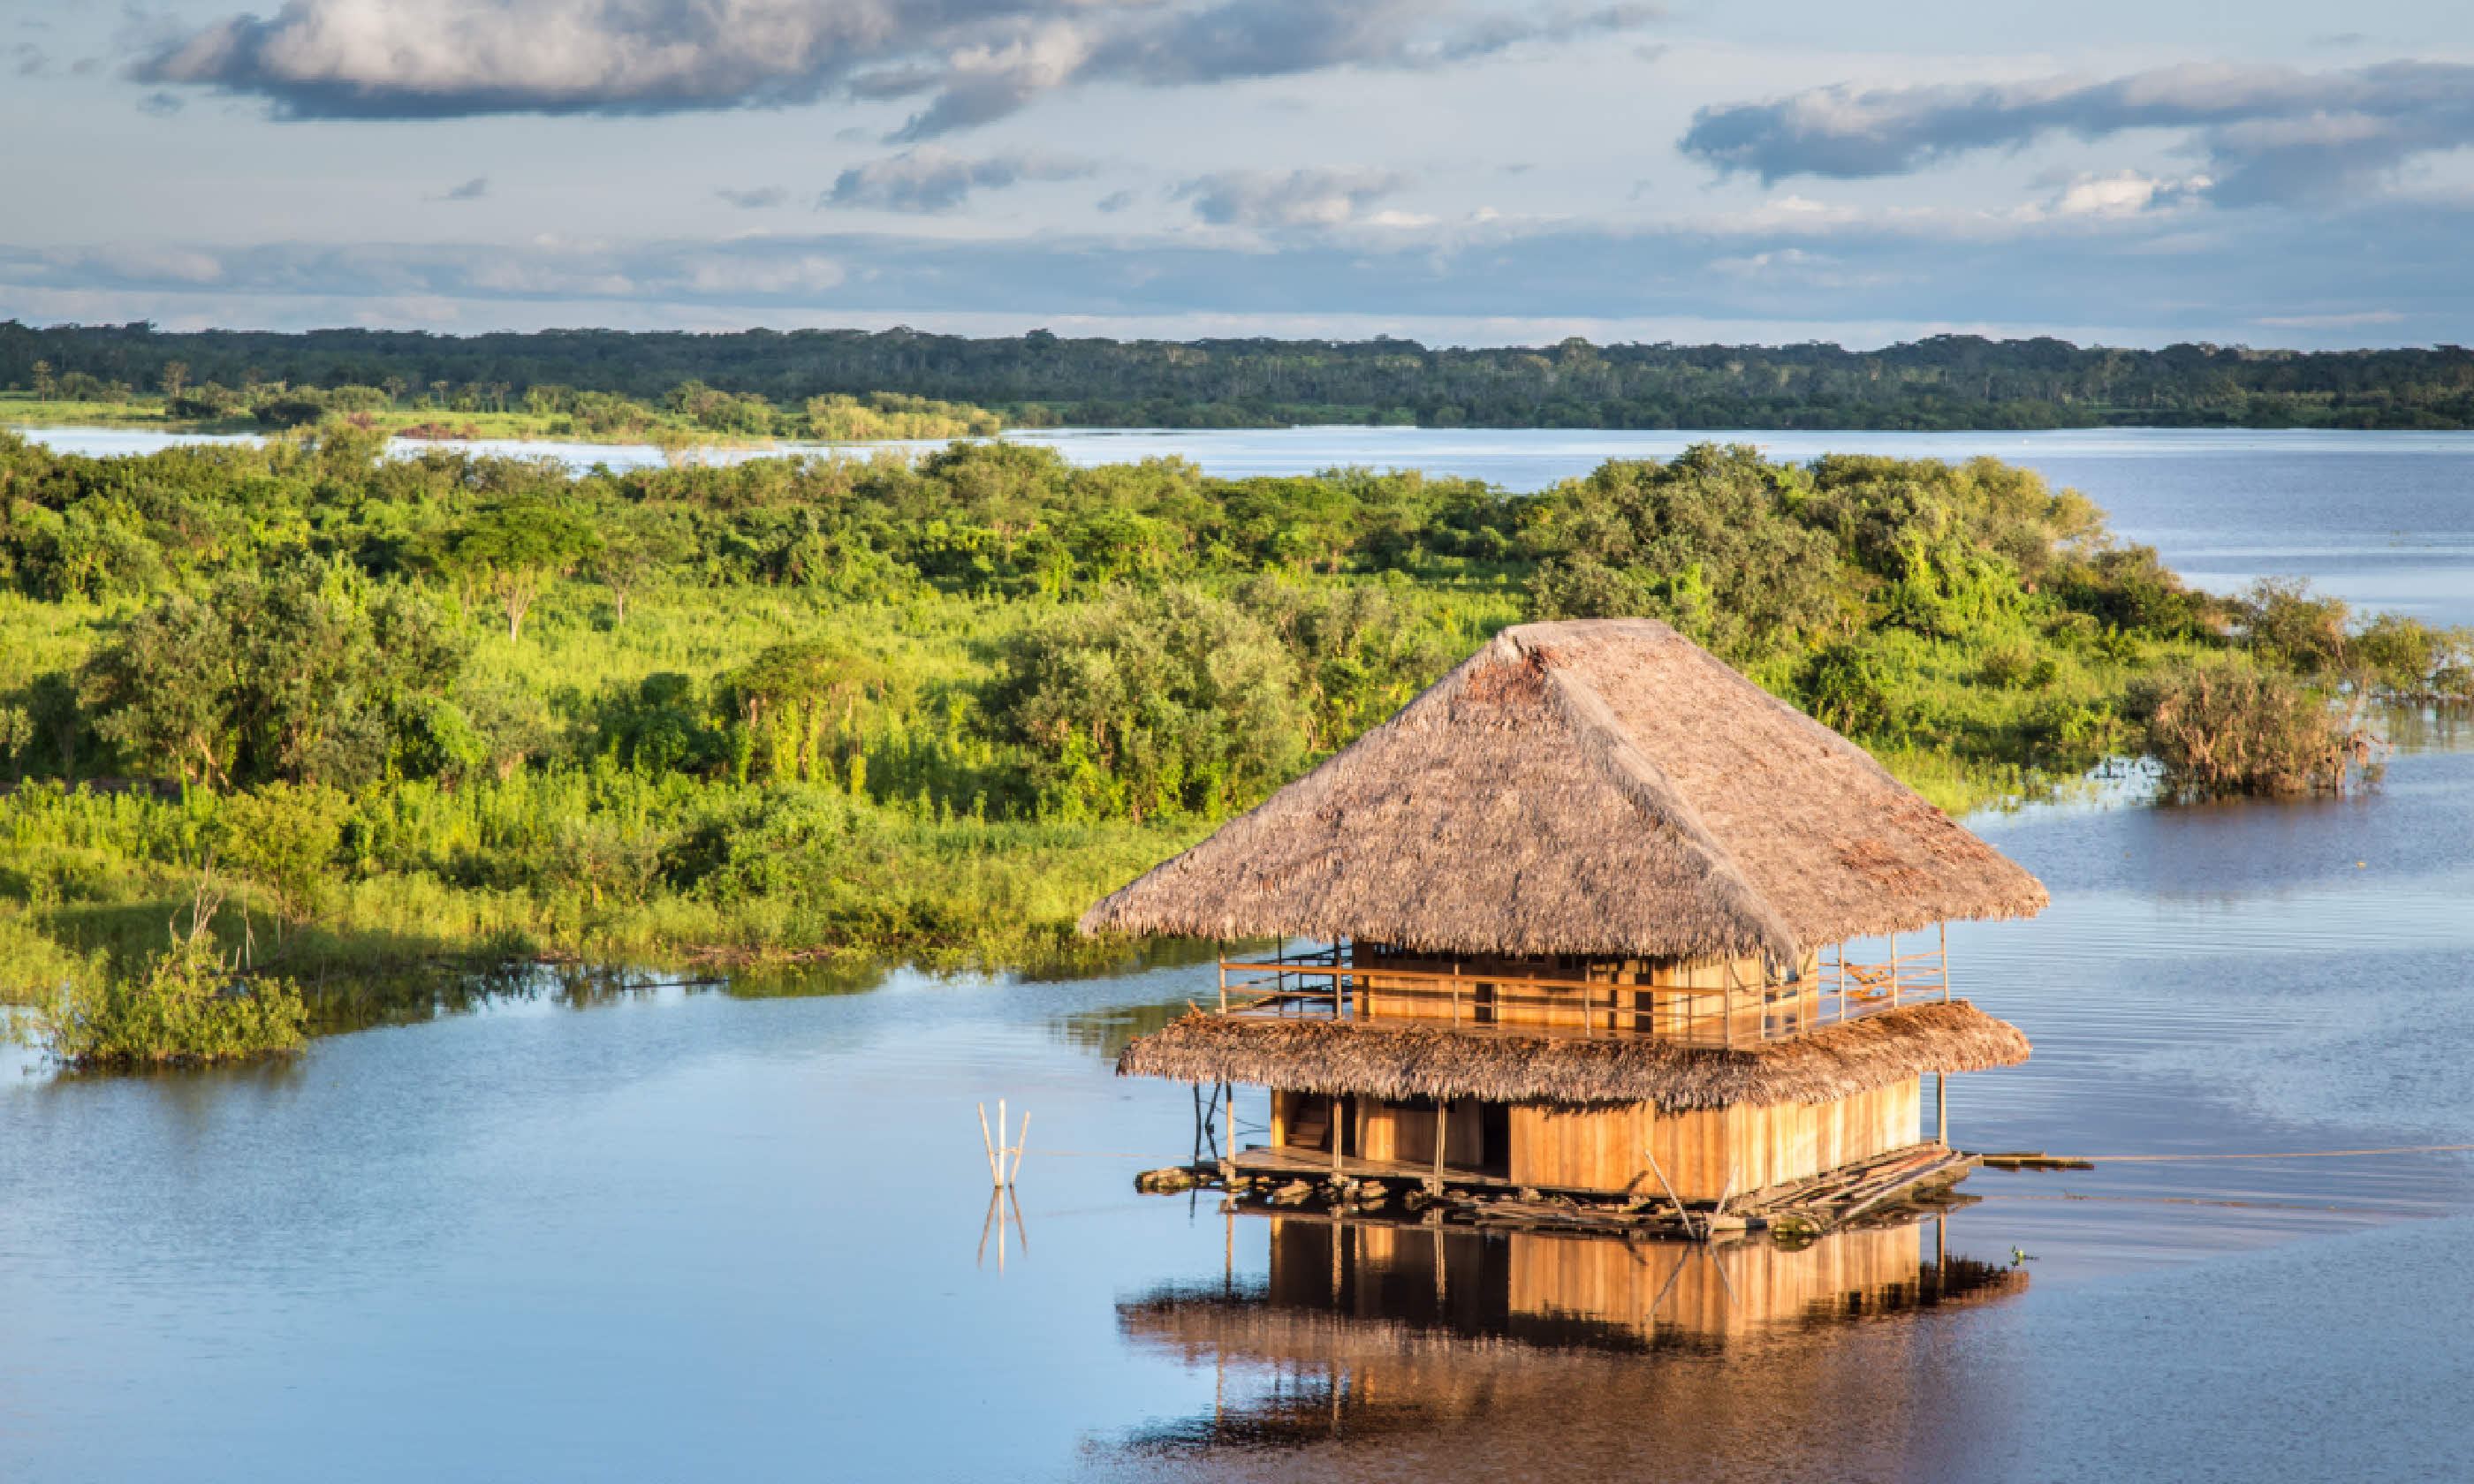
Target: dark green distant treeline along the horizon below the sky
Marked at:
1941, 382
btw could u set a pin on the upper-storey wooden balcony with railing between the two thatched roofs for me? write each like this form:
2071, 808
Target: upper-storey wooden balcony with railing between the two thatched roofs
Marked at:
1330, 986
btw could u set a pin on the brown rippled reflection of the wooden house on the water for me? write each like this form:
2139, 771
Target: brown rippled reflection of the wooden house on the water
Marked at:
1367, 1329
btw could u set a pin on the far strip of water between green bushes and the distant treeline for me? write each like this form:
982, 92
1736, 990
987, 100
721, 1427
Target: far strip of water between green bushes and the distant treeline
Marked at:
2384, 521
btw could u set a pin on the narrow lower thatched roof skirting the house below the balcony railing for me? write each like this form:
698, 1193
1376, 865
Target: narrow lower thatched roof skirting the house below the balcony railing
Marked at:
1392, 1060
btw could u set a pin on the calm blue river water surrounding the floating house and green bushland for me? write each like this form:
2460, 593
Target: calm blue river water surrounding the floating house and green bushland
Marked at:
743, 1230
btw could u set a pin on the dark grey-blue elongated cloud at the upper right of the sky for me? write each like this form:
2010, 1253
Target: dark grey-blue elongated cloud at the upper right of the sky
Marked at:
2267, 132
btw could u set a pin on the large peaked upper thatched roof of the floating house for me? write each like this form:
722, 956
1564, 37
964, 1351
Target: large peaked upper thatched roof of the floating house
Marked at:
1594, 788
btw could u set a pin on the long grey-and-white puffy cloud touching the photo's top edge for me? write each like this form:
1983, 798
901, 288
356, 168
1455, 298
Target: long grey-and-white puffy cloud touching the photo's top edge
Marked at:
974, 61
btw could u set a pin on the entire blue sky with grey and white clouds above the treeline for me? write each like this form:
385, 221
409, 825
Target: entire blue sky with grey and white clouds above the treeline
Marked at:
1456, 172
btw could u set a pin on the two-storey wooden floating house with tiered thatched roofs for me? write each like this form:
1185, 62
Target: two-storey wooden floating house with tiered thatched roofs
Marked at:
1575, 921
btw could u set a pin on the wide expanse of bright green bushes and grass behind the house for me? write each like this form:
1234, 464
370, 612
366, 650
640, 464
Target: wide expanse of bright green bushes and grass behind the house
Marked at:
447, 709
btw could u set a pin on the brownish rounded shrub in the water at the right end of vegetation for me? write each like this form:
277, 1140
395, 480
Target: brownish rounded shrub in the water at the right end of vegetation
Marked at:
2220, 731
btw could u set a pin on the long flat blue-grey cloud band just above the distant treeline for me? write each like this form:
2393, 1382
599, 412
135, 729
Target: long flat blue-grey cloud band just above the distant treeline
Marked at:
1884, 276
